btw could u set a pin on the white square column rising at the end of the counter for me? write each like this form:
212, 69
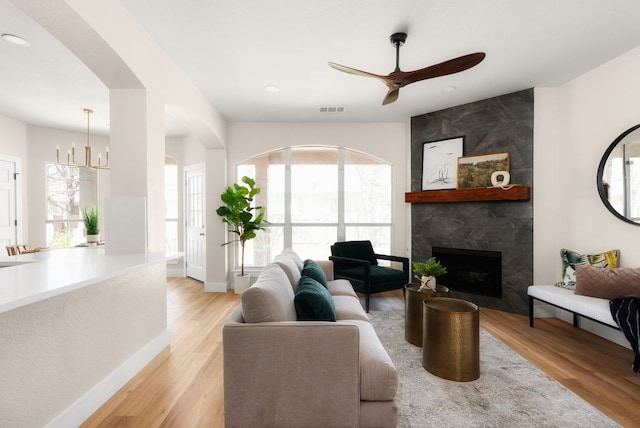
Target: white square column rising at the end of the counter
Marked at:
137, 173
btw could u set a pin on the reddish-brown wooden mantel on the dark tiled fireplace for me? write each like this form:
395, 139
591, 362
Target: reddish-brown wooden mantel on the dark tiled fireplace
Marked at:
515, 193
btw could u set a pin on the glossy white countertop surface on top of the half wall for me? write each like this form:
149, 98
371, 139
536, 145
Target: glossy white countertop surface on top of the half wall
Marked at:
30, 278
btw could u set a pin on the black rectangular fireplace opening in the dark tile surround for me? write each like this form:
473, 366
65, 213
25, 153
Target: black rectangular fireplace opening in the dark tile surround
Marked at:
471, 271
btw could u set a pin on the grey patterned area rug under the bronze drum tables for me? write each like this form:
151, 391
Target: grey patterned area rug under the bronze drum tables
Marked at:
511, 392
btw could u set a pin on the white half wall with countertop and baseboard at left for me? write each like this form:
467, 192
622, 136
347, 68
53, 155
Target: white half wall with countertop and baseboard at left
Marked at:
76, 324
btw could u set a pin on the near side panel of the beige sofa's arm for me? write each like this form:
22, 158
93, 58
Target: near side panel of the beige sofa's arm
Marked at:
271, 368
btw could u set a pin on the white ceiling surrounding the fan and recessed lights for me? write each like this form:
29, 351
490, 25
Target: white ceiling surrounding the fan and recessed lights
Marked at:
232, 50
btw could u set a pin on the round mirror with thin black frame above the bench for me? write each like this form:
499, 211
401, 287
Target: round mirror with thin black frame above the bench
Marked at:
618, 176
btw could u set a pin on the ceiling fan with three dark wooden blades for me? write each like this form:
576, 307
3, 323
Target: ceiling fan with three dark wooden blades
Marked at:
398, 79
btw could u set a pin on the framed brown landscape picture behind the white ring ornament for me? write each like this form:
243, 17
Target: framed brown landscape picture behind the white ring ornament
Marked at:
475, 171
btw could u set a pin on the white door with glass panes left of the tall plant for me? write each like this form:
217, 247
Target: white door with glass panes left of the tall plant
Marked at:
195, 248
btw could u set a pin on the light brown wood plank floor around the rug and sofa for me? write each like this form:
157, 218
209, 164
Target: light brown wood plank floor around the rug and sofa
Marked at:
182, 387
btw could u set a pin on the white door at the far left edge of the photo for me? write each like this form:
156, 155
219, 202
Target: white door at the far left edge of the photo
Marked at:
8, 215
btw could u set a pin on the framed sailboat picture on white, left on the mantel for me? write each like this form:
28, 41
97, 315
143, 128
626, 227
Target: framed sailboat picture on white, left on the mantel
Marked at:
439, 161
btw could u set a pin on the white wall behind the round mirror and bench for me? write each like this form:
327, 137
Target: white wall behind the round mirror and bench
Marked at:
574, 125
